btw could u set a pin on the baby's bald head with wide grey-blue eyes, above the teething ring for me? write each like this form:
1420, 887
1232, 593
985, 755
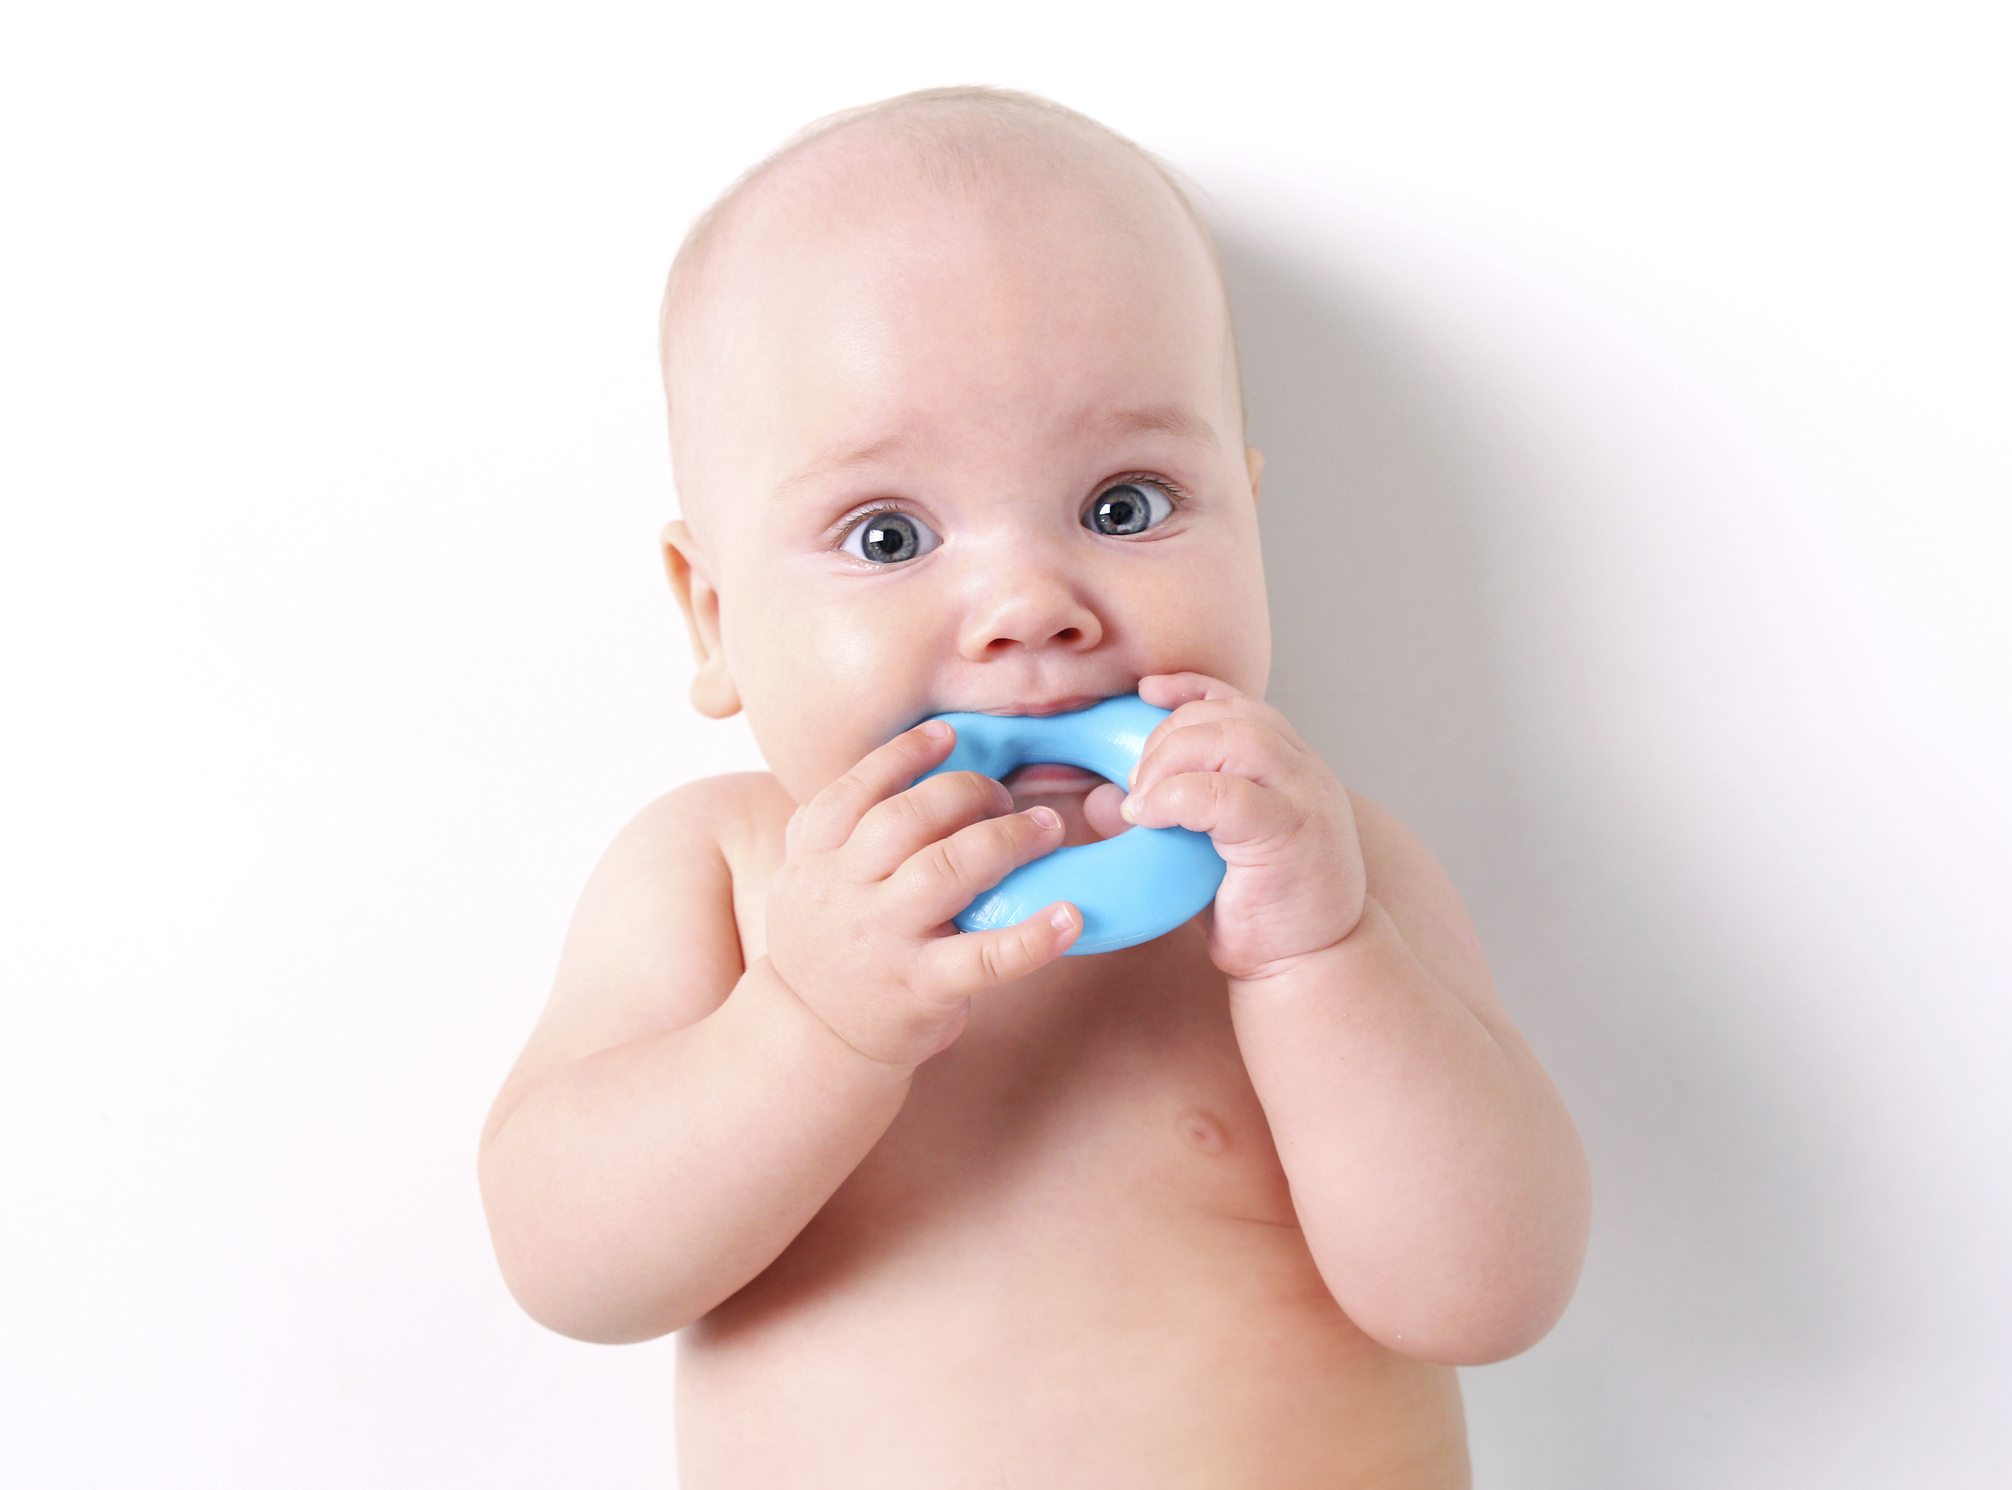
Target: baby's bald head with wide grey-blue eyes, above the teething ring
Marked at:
957, 427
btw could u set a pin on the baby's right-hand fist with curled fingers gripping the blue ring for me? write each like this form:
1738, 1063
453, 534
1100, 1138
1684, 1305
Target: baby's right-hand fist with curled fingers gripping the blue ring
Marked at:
1232, 767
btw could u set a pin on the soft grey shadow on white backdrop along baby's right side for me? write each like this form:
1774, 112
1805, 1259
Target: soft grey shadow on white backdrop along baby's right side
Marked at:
1717, 1280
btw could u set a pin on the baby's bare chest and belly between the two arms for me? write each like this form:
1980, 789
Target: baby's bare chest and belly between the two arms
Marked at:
1071, 1262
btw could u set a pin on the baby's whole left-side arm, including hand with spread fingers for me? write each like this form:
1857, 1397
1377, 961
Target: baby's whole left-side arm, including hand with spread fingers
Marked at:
677, 1119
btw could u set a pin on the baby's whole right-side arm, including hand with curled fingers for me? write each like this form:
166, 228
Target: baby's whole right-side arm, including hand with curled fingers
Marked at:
1434, 1167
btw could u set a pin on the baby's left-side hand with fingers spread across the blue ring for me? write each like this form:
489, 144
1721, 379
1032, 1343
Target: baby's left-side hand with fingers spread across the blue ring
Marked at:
860, 912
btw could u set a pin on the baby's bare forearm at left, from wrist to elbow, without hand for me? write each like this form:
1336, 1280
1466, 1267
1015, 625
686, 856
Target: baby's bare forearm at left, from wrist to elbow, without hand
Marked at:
637, 1189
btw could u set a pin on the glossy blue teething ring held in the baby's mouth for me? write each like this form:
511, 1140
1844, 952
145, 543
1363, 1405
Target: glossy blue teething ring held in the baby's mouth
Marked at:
1132, 888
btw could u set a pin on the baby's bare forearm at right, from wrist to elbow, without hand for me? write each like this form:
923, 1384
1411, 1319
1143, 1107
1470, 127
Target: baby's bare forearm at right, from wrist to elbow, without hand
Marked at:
1434, 1167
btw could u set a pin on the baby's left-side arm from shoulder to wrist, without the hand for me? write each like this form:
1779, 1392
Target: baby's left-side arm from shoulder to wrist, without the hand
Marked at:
641, 1161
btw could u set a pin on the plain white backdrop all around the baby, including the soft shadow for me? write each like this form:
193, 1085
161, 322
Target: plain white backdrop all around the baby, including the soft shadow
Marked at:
1635, 381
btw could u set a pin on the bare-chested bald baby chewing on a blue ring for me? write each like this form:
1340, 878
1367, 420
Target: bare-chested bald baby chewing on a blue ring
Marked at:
957, 425
